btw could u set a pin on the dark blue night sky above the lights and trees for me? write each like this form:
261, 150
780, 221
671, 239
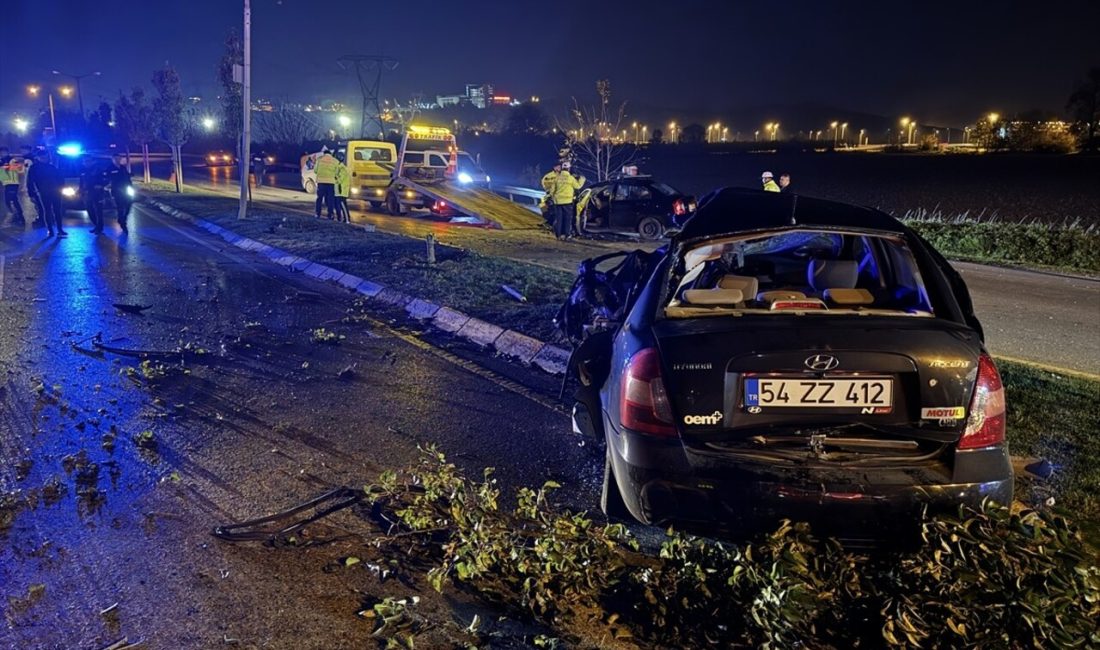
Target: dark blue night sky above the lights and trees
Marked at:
945, 62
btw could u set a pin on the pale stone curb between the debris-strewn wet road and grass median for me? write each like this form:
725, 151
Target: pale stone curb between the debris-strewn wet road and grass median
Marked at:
509, 344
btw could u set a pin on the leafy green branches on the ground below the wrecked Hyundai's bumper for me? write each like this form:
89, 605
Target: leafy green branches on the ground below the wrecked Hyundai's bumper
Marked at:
987, 578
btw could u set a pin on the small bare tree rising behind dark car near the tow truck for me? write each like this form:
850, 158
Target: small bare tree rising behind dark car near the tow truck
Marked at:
591, 134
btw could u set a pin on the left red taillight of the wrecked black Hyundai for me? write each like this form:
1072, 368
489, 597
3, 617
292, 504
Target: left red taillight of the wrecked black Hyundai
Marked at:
644, 405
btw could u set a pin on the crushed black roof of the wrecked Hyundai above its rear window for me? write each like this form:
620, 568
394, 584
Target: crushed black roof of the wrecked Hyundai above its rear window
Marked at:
732, 211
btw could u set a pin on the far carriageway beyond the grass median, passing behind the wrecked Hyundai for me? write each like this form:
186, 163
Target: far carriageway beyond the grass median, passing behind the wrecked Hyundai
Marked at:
1044, 318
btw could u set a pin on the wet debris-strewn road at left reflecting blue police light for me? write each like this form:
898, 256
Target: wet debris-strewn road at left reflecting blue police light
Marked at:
114, 523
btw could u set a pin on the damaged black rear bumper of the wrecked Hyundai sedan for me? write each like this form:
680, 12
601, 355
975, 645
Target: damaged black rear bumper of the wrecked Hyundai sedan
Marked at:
661, 486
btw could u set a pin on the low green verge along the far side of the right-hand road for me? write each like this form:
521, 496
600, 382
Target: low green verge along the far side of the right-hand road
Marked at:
1066, 247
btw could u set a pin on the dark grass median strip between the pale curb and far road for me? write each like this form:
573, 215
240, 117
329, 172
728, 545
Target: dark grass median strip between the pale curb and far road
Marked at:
461, 280
